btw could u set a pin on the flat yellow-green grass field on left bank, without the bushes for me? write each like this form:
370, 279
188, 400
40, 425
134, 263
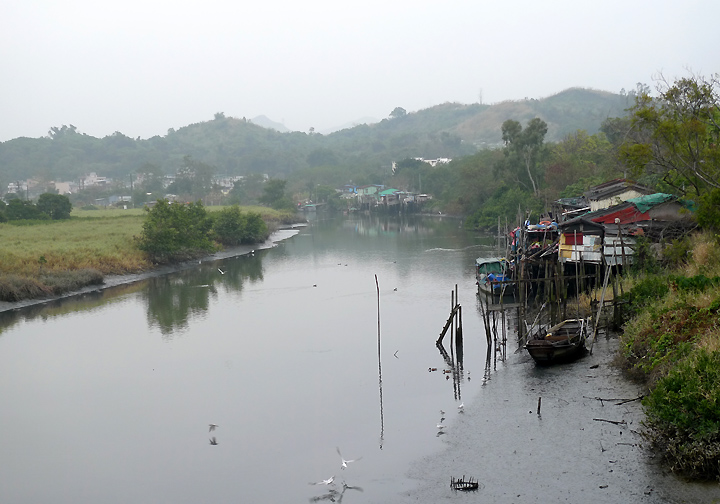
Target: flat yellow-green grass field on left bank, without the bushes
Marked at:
44, 258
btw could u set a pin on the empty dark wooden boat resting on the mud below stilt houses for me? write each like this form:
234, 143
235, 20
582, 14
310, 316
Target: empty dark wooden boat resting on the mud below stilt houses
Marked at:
561, 343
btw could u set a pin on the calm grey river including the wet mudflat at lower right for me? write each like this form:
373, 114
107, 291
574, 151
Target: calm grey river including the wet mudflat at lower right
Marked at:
108, 397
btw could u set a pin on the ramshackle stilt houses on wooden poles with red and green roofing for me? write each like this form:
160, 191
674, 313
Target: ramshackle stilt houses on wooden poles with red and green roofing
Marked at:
580, 246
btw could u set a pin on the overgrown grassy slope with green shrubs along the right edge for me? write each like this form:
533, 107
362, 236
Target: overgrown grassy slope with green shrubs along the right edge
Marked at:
672, 342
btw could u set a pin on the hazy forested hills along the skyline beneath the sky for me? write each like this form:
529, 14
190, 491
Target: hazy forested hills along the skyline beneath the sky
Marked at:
236, 146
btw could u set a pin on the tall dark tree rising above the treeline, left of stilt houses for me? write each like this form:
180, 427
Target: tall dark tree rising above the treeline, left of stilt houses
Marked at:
524, 149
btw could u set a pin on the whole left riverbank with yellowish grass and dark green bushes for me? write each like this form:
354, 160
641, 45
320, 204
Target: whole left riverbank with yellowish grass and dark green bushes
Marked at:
42, 258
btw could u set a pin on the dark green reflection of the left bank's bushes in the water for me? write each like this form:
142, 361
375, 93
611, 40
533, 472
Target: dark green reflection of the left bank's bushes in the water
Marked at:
174, 300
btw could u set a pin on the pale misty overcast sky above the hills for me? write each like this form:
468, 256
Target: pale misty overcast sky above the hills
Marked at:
143, 66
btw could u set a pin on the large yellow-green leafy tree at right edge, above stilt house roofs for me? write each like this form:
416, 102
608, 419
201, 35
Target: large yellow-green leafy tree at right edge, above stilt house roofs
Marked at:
676, 137
